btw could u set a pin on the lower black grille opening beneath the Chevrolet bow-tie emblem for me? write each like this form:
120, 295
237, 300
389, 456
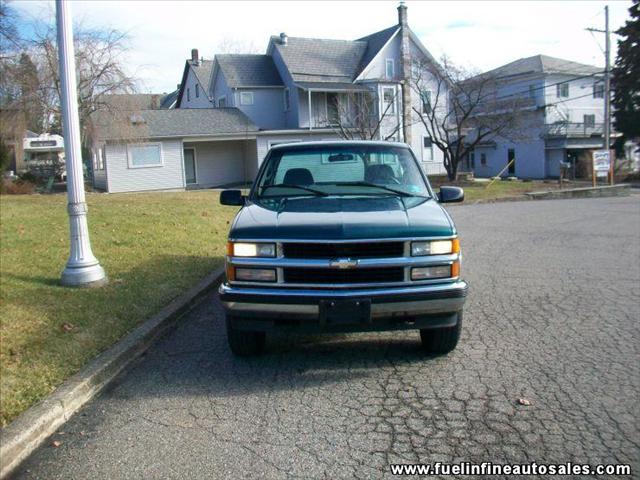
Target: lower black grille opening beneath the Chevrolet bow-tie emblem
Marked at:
331, 275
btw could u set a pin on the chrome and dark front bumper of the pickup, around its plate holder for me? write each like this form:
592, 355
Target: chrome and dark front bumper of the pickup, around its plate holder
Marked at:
424, 306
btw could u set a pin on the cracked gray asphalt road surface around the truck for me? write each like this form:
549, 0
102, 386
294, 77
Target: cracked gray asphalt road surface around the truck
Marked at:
553, 317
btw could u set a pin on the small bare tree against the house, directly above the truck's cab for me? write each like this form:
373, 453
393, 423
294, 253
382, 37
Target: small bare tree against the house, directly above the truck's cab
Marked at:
356, 116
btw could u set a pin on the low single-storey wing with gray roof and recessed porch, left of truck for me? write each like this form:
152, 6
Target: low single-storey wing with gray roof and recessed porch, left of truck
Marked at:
173, 149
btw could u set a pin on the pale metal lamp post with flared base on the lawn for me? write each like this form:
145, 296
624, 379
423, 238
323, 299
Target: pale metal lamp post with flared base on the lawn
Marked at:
82, 269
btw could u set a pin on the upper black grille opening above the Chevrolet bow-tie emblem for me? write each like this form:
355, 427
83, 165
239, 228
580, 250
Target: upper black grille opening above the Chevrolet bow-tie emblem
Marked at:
347, 250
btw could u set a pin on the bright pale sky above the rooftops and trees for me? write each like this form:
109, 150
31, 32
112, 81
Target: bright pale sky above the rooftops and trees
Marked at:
477, 35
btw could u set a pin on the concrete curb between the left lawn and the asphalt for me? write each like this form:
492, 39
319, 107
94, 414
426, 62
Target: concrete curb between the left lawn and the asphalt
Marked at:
22, 436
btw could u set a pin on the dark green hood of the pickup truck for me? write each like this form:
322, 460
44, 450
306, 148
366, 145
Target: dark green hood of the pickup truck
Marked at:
340, 218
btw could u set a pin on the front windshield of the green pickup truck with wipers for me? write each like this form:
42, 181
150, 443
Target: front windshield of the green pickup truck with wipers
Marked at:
337, 170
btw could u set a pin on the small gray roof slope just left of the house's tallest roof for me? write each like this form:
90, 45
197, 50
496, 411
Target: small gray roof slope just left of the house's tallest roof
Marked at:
248, 70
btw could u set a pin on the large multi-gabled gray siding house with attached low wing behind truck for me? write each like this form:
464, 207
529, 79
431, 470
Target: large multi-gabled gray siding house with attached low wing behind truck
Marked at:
229, 111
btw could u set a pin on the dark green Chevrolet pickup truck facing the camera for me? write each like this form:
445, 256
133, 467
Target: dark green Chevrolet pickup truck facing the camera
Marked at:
342, 236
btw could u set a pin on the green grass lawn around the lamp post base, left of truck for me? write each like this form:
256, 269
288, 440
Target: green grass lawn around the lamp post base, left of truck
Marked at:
153, 247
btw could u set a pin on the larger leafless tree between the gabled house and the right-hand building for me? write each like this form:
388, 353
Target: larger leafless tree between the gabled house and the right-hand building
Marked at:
460, 110
